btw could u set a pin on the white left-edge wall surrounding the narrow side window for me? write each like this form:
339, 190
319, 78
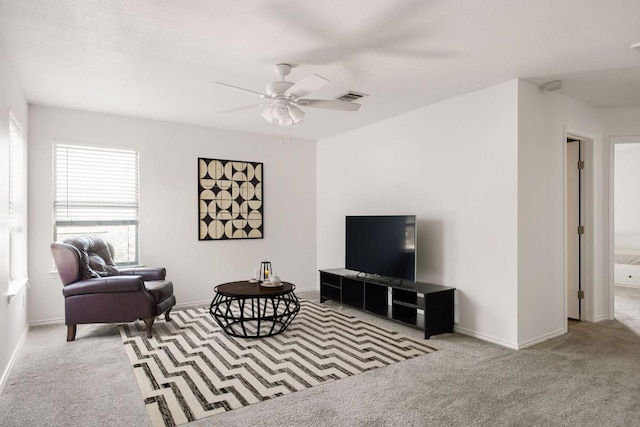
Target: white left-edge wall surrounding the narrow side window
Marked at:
13, 317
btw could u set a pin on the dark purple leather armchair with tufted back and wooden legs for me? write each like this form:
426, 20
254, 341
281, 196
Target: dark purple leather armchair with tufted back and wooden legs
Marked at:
96, 291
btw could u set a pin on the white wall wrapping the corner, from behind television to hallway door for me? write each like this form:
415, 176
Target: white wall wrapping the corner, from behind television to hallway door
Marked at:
484, 172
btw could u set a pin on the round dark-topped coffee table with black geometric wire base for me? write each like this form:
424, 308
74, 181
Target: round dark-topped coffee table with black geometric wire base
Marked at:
249, 310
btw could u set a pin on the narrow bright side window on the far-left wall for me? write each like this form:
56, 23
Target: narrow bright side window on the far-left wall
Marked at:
17, 214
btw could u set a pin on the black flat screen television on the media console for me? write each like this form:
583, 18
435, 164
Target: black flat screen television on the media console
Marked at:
382, 245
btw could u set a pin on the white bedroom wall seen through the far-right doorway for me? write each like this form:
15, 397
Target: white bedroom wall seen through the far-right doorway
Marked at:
626, 200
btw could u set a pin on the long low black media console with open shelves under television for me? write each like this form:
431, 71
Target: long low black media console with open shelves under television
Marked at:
406, 301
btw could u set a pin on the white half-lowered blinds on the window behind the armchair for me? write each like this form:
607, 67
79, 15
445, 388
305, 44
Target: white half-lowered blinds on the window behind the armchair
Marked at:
95, 185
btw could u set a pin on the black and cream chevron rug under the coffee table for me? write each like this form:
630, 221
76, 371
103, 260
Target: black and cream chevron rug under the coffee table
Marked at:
191, 369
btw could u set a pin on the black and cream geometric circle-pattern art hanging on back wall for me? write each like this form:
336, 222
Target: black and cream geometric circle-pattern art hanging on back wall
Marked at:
230, 199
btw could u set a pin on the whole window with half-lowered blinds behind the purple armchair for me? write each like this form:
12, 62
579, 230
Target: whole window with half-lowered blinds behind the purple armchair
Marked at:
96, 192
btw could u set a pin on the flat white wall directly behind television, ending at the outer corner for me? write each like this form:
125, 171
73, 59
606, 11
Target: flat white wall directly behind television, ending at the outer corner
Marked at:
454, 165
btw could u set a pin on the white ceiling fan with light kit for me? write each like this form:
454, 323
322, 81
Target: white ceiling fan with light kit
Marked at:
283, 98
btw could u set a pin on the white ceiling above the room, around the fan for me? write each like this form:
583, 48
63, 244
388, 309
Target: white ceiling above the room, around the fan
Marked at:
157, 59
